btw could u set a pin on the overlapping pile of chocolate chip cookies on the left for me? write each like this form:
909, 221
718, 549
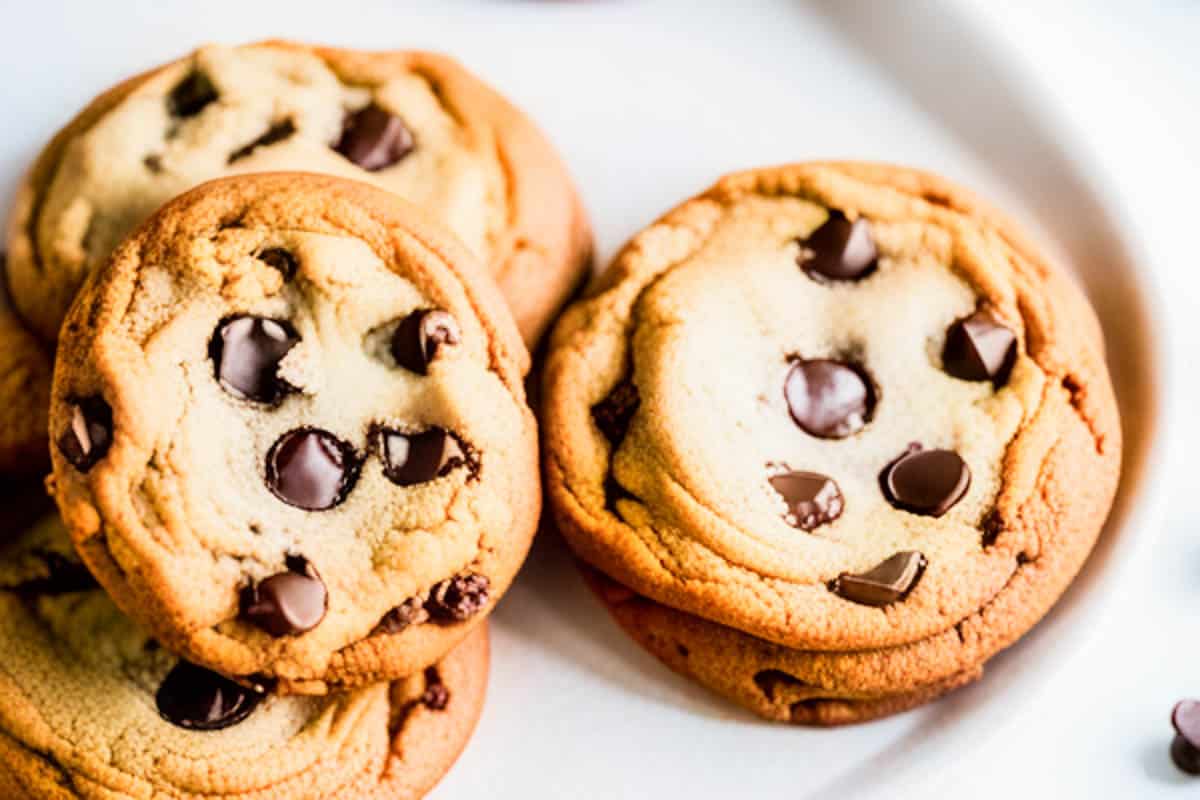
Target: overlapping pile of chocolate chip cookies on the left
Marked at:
291, 449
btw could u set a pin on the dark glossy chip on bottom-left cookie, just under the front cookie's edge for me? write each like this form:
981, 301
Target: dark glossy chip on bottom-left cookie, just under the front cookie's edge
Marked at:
199, 700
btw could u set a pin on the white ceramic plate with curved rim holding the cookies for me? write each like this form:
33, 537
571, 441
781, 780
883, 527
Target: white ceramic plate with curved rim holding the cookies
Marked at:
650, 104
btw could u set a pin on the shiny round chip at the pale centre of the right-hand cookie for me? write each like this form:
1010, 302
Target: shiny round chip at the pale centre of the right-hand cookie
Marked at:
827, 399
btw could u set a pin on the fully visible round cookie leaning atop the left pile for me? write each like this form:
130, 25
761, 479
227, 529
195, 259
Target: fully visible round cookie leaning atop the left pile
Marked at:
291, 436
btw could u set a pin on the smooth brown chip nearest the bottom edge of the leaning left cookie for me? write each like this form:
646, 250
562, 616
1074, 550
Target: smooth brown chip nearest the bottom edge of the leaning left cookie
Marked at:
290, 603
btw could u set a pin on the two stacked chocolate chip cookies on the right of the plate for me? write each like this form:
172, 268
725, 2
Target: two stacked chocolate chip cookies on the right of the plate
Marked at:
842, 411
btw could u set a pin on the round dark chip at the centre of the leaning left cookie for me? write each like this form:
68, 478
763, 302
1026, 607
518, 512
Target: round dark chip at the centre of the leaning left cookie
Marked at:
311, 470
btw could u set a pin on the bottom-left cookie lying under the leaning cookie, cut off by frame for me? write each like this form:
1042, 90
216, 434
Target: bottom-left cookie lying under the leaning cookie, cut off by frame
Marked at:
94, 709
